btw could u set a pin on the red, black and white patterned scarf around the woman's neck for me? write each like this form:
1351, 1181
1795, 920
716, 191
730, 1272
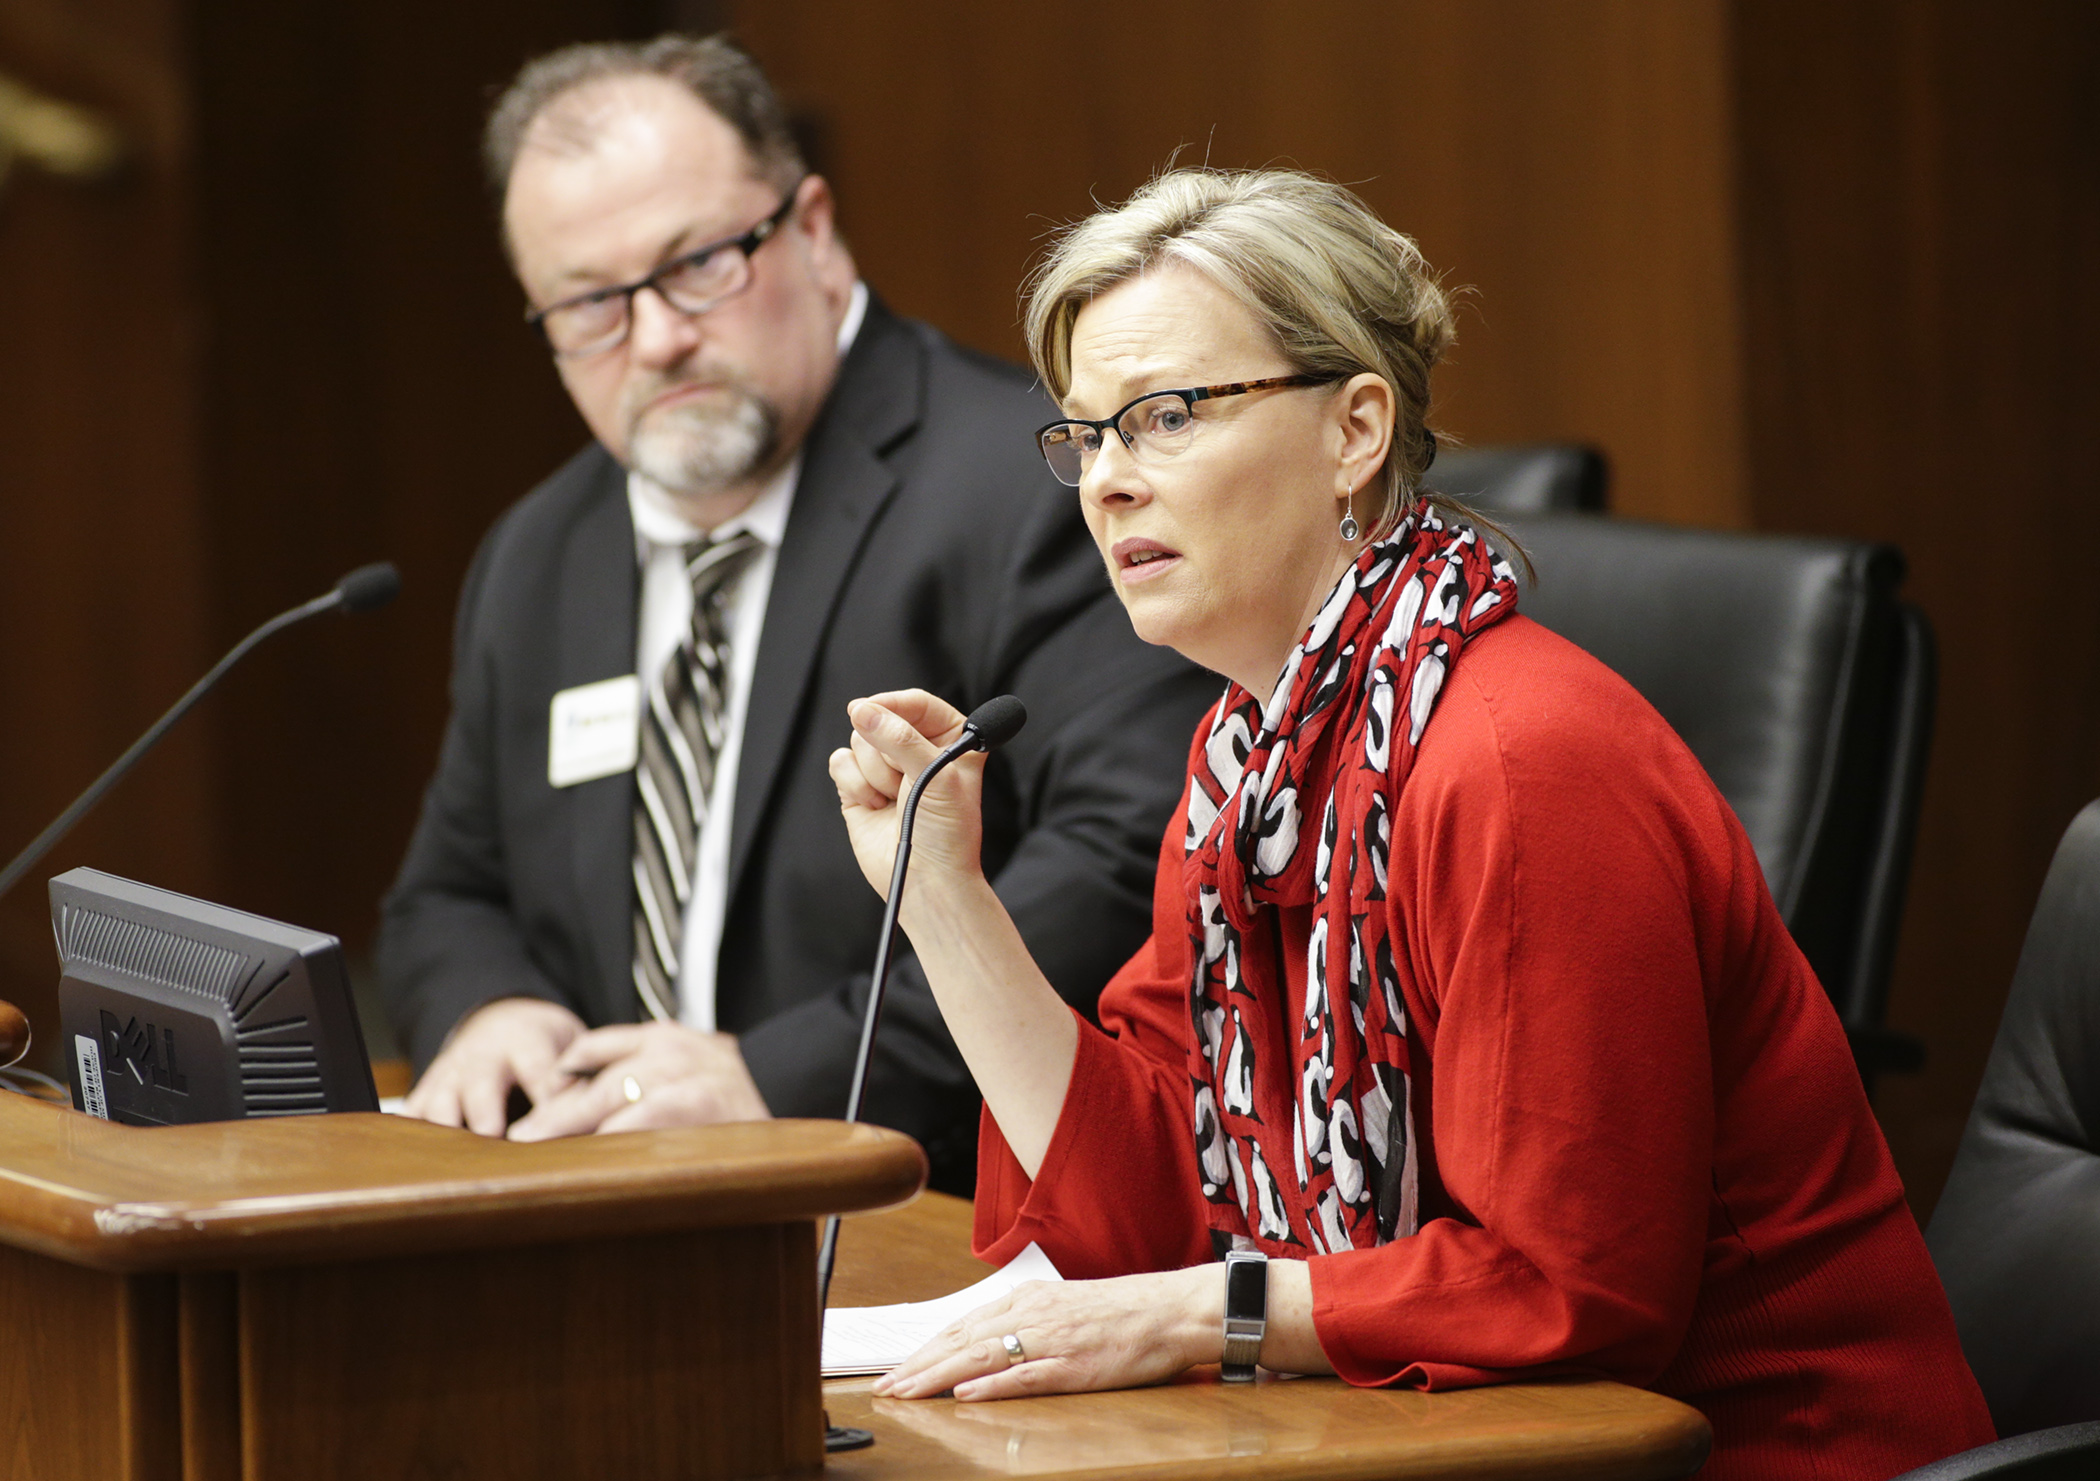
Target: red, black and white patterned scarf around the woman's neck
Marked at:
1305, 1133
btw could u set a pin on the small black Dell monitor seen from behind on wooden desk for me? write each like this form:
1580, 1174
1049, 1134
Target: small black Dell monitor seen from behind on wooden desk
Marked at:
182, 1011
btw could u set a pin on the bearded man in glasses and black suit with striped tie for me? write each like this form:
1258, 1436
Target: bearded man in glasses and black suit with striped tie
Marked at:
631, 894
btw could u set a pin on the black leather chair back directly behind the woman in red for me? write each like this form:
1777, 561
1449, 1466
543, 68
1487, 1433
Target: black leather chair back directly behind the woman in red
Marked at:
1805, 688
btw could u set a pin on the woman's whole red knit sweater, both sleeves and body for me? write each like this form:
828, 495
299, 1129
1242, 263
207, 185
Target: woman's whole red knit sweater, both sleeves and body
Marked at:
1645, 1150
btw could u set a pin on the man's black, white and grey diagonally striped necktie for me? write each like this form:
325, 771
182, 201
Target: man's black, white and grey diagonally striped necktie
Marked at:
679, 743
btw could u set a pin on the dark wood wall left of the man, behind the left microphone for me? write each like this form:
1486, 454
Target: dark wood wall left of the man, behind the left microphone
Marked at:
287, 343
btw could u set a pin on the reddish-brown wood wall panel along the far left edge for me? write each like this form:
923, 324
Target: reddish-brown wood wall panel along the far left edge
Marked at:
104, 596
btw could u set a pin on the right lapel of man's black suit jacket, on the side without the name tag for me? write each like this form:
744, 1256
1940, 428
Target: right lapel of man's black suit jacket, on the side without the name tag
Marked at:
843, 488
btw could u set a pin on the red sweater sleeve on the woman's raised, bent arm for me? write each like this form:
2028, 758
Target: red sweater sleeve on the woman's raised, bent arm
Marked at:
1116, 1192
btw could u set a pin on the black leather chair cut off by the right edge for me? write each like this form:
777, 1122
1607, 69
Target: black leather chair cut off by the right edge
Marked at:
2017, 1232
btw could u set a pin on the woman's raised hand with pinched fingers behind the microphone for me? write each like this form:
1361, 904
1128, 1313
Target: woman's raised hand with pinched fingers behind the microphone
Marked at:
896, 736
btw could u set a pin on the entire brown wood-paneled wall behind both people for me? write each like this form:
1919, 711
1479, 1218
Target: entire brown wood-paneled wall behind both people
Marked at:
1792, 266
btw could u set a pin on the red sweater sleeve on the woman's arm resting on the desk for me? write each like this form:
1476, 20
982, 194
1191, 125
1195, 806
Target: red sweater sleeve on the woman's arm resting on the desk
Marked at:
1566, 890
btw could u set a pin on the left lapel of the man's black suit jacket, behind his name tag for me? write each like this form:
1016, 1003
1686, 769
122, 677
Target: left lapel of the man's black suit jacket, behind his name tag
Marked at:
597, 604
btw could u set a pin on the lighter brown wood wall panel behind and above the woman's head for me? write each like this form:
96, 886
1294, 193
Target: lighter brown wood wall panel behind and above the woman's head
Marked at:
1557, 161
